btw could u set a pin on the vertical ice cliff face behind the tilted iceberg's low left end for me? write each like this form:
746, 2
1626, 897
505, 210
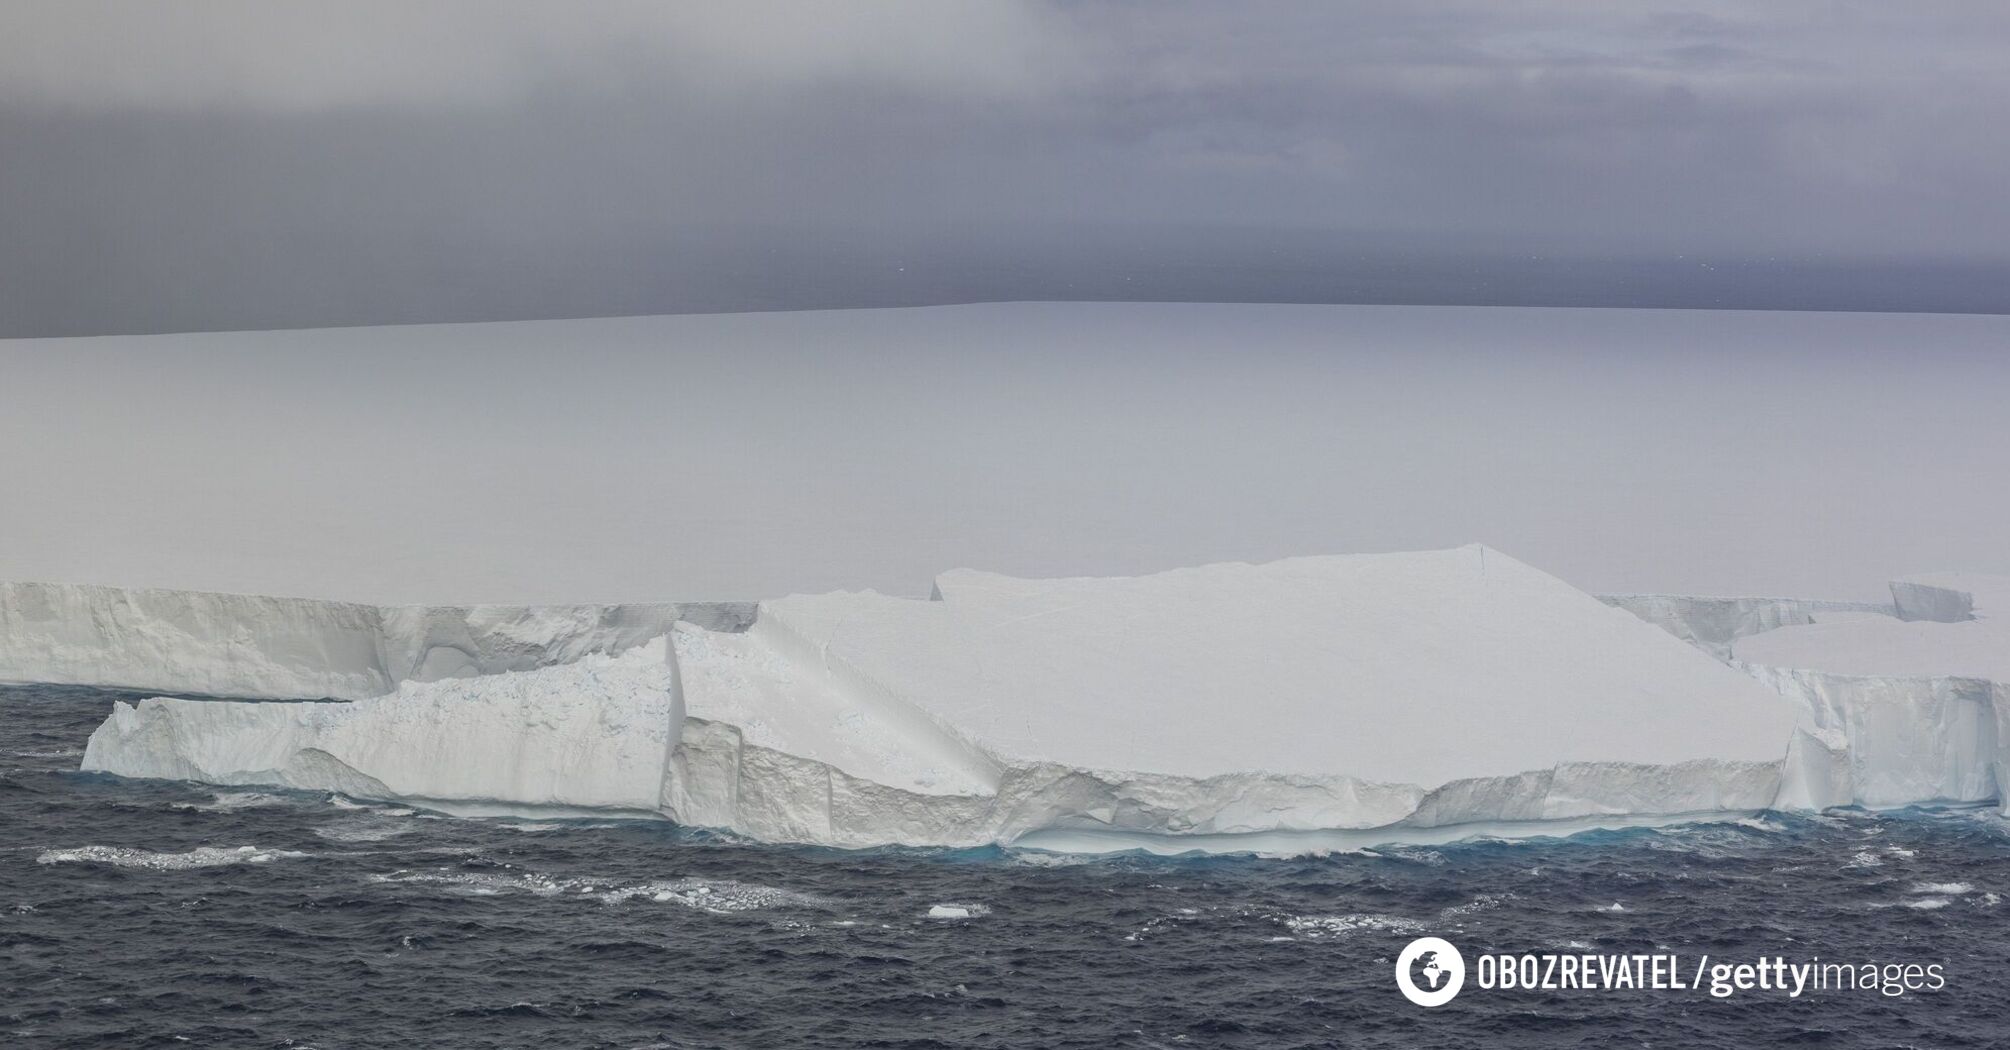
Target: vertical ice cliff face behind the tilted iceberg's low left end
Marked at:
230, 645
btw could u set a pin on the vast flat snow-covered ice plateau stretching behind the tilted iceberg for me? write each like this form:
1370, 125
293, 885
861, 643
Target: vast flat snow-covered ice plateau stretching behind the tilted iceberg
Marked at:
757, 456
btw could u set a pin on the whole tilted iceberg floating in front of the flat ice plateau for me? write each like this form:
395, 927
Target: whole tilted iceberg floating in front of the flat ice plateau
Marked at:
1295, 705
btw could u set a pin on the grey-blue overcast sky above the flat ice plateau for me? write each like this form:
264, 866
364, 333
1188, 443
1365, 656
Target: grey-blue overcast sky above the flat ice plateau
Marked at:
224, 164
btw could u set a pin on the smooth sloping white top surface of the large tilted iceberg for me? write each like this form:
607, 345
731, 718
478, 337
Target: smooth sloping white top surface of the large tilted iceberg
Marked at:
1406, 667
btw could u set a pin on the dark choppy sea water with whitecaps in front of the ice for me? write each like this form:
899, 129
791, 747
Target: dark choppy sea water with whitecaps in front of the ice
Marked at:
146, 914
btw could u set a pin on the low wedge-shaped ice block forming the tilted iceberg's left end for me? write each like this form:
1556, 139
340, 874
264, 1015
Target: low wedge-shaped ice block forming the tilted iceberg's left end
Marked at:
590, 735
